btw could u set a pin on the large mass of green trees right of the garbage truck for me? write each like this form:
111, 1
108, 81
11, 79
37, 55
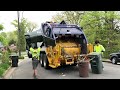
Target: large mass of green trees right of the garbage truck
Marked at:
103, 26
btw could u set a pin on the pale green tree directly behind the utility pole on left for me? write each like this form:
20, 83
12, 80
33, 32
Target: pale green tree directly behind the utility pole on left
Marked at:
25, 26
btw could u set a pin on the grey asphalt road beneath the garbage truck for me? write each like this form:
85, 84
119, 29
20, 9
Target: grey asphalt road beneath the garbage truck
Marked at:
24, 71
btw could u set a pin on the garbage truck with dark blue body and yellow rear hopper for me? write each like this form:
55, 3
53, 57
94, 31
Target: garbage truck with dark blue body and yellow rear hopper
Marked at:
60, 43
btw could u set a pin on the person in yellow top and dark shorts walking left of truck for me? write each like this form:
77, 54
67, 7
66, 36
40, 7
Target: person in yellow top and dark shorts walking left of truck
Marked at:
35, 58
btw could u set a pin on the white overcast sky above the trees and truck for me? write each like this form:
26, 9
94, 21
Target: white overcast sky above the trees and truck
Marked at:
6, 17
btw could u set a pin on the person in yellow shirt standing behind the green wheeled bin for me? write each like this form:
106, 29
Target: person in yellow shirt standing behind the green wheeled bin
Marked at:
100, 49
